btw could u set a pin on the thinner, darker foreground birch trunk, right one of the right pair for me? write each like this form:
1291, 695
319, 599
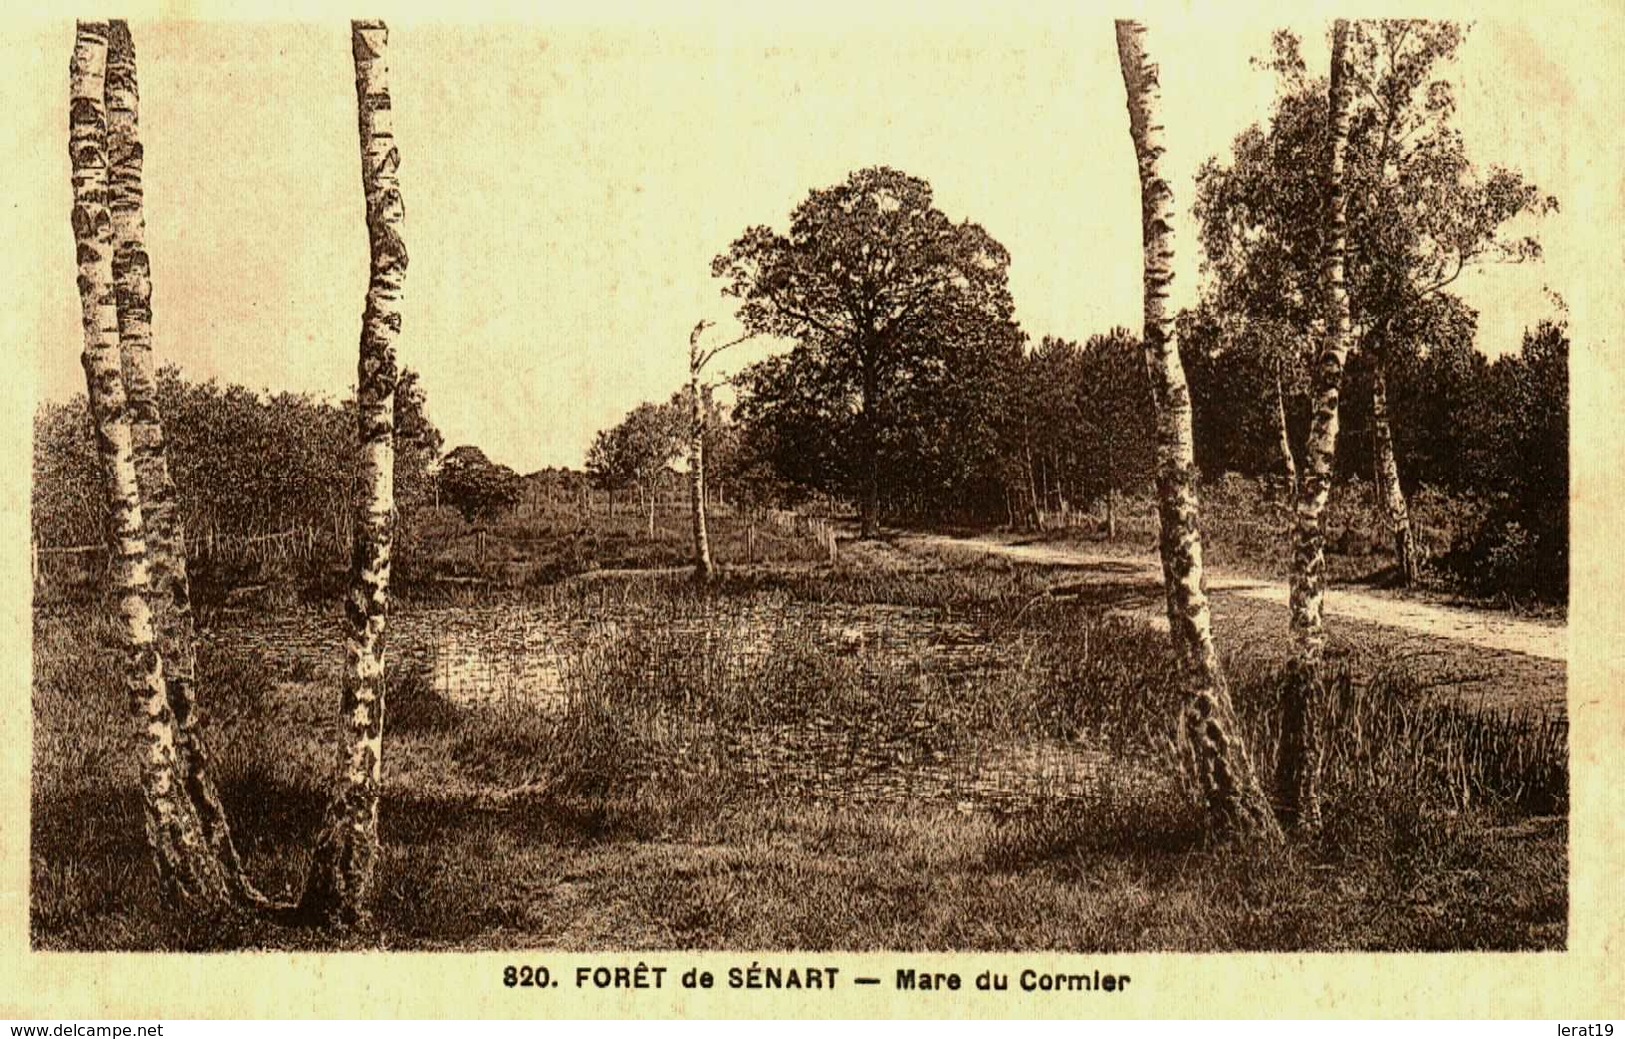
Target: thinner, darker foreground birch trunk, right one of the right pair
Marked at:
1301, 739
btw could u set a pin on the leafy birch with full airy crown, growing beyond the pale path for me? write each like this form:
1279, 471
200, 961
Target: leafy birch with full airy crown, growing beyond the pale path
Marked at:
1419, 215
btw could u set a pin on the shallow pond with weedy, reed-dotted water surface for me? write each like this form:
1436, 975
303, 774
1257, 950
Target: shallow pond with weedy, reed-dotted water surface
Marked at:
846, 749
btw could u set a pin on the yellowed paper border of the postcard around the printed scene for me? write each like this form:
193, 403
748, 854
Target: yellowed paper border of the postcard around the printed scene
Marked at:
1585, 981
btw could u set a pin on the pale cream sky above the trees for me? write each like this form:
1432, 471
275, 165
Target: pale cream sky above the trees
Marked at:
568, 186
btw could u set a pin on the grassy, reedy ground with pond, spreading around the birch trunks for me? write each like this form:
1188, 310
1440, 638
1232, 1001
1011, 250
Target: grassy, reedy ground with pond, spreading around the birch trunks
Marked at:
891, 754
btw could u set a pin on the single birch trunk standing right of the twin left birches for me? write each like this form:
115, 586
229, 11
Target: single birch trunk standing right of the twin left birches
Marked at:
347, 850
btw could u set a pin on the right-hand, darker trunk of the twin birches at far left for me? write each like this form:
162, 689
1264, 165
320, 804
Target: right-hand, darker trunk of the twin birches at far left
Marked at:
171, 596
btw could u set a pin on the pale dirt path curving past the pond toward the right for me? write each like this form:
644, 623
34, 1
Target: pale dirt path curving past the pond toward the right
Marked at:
1483, 628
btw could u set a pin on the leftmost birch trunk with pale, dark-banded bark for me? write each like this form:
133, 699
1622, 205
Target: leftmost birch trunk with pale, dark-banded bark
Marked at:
188, 872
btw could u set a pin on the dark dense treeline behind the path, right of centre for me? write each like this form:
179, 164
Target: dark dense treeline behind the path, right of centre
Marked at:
1060, 435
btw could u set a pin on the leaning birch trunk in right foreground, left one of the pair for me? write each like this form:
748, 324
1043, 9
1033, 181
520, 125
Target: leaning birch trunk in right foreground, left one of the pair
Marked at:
1208, 728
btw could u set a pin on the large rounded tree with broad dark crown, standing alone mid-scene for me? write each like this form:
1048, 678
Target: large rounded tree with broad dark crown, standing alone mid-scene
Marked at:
901, 321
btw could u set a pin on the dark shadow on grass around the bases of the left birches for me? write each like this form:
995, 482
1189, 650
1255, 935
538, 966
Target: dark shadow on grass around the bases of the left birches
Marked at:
444, 872
